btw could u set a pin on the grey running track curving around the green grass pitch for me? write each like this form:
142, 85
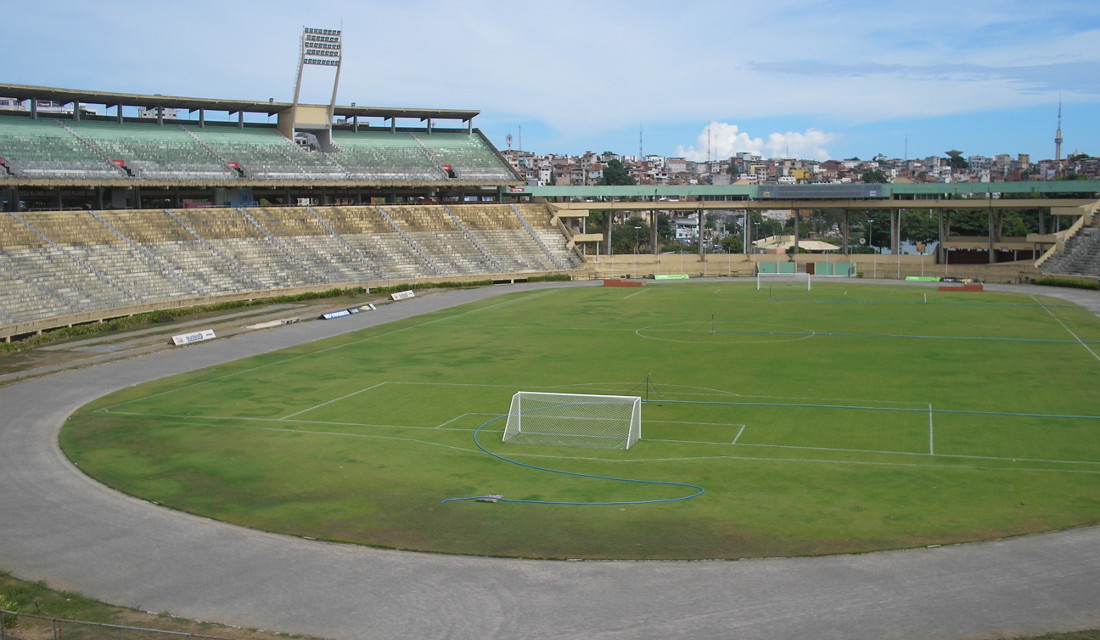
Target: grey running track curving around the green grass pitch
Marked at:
62, 527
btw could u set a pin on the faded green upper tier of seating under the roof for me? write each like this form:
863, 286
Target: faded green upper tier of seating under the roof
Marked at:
186, 153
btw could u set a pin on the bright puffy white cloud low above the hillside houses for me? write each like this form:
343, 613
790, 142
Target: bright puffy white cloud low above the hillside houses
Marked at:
722, 140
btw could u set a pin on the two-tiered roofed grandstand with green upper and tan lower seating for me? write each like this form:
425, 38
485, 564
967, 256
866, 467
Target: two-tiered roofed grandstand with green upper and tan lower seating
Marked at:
111, 215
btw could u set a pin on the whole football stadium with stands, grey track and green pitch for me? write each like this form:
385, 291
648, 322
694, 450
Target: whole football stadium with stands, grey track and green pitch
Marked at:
494, 428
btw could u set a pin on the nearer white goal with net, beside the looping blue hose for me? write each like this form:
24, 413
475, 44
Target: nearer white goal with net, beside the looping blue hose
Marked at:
589, 422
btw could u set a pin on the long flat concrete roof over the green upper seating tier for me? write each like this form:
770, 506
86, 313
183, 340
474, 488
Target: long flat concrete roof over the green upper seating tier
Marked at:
267, 107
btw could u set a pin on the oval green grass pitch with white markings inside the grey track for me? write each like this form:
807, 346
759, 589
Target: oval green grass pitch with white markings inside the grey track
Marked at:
844, 420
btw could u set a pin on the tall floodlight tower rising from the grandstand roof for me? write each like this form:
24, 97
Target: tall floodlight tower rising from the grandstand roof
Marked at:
322, 48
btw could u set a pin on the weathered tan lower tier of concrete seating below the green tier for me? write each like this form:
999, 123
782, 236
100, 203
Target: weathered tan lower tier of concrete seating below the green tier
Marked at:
61, 263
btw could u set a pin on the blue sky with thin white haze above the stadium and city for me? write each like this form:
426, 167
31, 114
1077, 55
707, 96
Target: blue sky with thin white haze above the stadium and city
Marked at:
696, 79
